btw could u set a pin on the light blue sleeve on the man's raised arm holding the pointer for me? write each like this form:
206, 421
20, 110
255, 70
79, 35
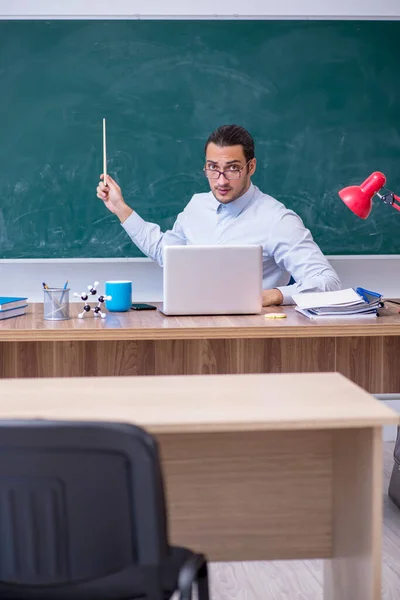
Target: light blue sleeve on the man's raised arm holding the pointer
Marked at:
149, 238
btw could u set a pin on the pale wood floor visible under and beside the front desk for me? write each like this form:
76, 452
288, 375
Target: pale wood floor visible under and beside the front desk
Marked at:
302, 580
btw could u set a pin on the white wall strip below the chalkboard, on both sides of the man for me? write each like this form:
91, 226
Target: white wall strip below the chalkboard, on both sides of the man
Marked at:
25, 277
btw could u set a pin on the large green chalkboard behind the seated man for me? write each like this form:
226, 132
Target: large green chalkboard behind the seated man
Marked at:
321, 98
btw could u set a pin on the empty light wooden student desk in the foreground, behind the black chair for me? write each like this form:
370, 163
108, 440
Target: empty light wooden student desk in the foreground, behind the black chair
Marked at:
256, 467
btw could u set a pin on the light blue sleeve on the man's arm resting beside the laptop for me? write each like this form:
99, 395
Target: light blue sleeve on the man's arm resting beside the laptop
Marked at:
294, 250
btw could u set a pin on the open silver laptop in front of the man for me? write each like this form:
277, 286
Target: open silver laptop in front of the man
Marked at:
212, 280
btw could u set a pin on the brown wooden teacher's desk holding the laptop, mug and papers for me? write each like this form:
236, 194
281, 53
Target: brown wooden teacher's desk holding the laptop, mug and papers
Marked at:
148, 343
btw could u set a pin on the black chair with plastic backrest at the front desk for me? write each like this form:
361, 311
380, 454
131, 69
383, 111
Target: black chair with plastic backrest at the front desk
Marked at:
82, 516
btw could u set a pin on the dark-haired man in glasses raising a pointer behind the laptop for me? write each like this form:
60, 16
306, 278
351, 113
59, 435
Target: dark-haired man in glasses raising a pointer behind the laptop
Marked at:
235, 212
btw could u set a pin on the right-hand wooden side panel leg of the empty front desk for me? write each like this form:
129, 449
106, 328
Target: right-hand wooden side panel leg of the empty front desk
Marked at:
354, 571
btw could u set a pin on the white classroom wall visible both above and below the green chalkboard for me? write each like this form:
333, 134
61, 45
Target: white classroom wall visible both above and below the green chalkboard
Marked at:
24, 277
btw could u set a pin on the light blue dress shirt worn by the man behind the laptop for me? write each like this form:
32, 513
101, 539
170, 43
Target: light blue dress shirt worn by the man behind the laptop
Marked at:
254, 218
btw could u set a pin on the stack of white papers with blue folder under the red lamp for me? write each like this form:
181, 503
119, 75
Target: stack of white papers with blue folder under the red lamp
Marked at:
351, 302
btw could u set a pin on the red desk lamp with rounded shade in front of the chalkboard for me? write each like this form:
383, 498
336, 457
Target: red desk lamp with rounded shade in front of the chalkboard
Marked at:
359, 197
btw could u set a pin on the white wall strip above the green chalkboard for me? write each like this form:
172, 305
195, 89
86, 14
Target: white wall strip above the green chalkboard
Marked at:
206, 8
